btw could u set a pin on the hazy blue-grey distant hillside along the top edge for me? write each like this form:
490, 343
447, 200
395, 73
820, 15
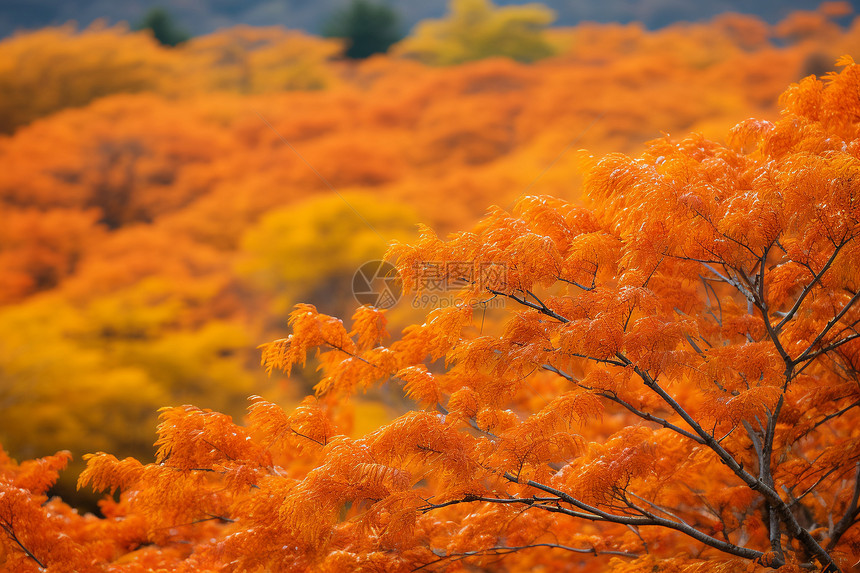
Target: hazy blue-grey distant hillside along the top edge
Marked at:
204, 16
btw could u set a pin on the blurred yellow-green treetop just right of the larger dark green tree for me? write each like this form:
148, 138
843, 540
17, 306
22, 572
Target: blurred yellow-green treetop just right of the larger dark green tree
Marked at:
477, 29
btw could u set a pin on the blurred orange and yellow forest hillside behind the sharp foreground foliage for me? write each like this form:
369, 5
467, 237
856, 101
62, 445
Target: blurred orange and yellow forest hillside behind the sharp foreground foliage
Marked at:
157, 224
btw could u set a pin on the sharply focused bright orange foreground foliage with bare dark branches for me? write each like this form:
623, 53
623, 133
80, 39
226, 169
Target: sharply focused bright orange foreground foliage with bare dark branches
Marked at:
674, 387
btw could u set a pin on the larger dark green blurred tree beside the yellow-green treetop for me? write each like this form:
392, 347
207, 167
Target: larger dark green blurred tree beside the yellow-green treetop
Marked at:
368, 28
